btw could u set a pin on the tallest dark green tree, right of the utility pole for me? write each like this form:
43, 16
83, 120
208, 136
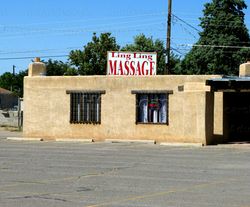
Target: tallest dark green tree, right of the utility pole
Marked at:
221, 47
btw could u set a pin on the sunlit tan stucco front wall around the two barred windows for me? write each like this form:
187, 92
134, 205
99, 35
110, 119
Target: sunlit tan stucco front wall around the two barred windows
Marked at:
47, 108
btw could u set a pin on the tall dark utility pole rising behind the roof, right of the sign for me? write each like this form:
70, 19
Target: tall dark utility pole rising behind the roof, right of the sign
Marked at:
167, 69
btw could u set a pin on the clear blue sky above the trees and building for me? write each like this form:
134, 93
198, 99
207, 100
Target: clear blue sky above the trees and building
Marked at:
50, 28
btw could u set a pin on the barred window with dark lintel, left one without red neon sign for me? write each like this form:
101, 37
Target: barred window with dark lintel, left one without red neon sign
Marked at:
85, 107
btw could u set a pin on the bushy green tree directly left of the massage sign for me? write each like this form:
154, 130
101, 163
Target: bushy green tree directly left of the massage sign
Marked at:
92, 60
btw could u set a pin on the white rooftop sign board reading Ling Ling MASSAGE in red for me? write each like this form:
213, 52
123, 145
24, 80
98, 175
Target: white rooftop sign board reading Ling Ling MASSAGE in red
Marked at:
131, 63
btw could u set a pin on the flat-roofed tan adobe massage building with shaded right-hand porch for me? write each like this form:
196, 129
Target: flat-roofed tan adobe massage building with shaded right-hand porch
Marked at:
204, 109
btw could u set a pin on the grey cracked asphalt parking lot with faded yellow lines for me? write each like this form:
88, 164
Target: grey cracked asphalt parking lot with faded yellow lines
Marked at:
38, 174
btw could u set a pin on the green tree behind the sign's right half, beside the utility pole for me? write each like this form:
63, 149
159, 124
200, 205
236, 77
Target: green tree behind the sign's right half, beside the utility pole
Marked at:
147, 44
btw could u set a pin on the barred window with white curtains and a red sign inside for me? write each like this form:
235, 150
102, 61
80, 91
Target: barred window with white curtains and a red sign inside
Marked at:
152, 107
